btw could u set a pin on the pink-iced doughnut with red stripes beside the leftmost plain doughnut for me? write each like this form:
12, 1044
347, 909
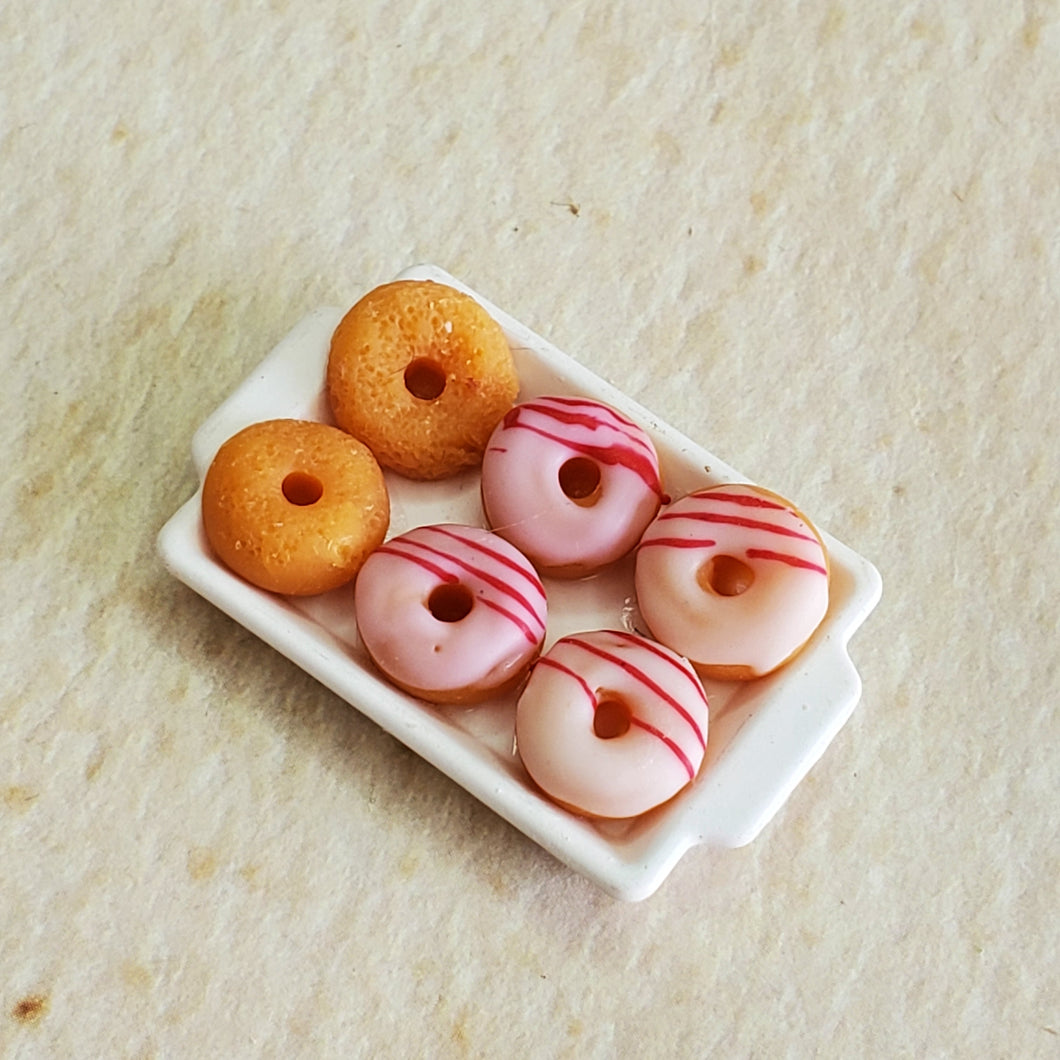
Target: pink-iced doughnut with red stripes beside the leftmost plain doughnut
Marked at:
451, 613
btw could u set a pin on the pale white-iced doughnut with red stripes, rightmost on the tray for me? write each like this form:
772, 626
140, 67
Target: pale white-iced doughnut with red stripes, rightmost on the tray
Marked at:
734, 578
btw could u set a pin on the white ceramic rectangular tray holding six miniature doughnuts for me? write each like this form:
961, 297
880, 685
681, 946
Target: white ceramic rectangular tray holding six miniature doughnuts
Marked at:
765, 736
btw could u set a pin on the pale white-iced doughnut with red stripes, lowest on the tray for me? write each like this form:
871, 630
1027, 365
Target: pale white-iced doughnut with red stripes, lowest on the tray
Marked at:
612, 725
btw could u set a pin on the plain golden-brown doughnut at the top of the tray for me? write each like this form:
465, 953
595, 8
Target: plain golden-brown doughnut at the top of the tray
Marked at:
421, 374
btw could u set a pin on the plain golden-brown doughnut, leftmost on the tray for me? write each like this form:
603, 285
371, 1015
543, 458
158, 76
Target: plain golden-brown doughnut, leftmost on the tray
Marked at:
294, 506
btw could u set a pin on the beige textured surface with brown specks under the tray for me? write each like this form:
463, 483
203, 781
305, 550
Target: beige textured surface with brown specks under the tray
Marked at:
820, 238
